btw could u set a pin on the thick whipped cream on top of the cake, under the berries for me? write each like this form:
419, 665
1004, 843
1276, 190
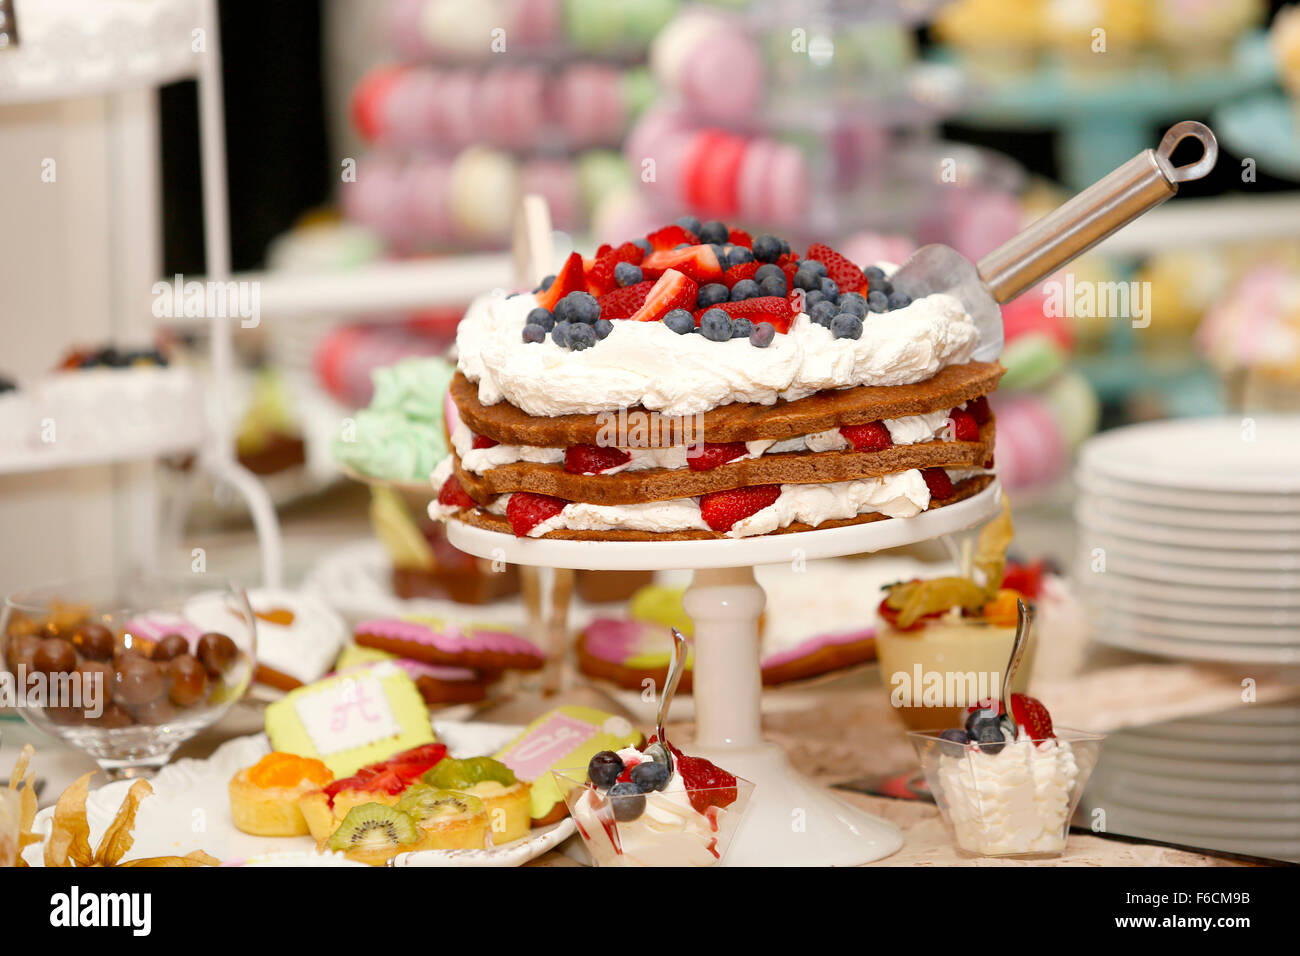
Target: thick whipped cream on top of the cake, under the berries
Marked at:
648, 365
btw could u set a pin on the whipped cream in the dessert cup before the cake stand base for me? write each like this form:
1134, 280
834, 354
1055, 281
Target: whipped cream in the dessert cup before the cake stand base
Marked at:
670, 832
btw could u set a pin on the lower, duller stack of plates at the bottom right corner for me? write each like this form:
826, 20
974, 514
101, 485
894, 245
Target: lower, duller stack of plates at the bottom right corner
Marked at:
1228, 782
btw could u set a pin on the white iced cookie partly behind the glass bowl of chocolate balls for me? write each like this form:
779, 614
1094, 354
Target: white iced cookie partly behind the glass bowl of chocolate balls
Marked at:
298, 637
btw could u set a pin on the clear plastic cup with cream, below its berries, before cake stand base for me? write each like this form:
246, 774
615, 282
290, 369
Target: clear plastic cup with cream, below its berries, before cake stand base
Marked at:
674, 829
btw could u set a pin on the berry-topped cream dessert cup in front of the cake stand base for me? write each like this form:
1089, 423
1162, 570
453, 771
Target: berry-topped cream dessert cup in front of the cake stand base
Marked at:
632, 811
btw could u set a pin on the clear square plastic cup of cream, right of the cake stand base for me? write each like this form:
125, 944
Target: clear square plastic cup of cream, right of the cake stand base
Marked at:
1015, 803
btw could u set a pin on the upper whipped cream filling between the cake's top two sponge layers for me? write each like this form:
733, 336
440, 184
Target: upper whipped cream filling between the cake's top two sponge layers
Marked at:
905, 431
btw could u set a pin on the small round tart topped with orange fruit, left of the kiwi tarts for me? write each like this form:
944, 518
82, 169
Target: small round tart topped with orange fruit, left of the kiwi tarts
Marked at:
265, 799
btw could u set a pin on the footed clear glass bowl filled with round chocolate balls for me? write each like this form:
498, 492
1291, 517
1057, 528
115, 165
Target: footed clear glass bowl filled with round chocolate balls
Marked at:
116, 669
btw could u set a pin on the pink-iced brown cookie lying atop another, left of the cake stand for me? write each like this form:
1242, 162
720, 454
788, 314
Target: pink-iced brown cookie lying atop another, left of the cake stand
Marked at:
443, 643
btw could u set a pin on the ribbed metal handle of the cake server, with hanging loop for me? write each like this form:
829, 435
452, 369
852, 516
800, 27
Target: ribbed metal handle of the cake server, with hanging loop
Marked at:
1113, 202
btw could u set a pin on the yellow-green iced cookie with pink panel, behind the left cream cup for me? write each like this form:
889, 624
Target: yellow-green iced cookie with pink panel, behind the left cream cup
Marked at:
564, 738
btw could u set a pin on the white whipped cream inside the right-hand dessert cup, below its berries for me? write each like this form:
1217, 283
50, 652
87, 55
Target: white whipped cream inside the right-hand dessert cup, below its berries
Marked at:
1017, 801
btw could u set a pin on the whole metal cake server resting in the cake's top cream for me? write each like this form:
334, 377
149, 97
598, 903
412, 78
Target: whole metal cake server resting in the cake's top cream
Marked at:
1113, 202
